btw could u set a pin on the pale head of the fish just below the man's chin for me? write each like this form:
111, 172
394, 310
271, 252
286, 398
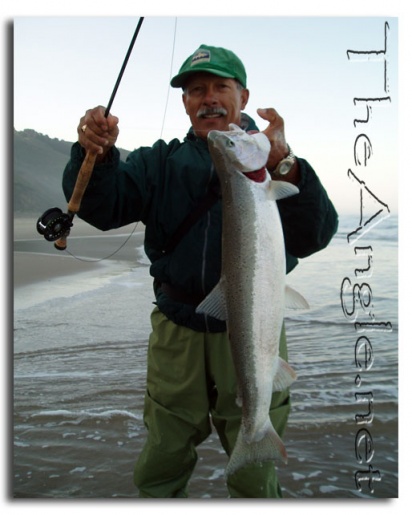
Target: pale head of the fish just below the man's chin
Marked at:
238, 150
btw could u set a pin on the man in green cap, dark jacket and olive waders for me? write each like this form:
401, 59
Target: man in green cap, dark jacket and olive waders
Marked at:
190, 376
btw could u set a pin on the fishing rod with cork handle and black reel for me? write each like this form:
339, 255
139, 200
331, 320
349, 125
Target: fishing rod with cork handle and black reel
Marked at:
55, 225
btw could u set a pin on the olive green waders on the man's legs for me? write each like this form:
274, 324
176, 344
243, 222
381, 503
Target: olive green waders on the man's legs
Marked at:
191, 379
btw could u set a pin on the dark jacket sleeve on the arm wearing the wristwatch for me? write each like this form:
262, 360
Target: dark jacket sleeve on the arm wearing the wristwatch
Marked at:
309, 218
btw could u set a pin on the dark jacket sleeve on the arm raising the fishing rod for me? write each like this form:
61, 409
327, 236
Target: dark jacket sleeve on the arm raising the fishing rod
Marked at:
105, 204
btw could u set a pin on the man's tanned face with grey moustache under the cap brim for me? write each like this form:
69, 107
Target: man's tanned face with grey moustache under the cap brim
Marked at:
213, 102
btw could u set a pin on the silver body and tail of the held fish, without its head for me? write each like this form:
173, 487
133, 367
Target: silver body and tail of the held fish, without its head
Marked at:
253, 268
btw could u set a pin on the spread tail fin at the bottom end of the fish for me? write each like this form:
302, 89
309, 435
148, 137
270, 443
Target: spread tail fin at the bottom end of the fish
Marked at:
267, 448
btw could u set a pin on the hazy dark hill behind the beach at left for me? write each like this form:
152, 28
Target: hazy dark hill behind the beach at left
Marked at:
38, 163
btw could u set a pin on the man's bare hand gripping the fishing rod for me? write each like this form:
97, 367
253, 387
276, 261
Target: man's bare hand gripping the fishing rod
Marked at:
98, 134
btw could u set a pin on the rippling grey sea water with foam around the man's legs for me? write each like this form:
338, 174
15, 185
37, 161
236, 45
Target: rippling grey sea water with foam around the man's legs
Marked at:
80, 364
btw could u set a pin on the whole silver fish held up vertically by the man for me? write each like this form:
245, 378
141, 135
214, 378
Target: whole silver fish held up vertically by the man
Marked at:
251, 294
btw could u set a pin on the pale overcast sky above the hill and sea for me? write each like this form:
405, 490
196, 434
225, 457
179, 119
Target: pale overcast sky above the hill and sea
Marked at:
298, 65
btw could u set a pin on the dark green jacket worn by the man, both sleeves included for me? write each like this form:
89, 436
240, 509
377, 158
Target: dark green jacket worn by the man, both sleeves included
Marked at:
159, 186
